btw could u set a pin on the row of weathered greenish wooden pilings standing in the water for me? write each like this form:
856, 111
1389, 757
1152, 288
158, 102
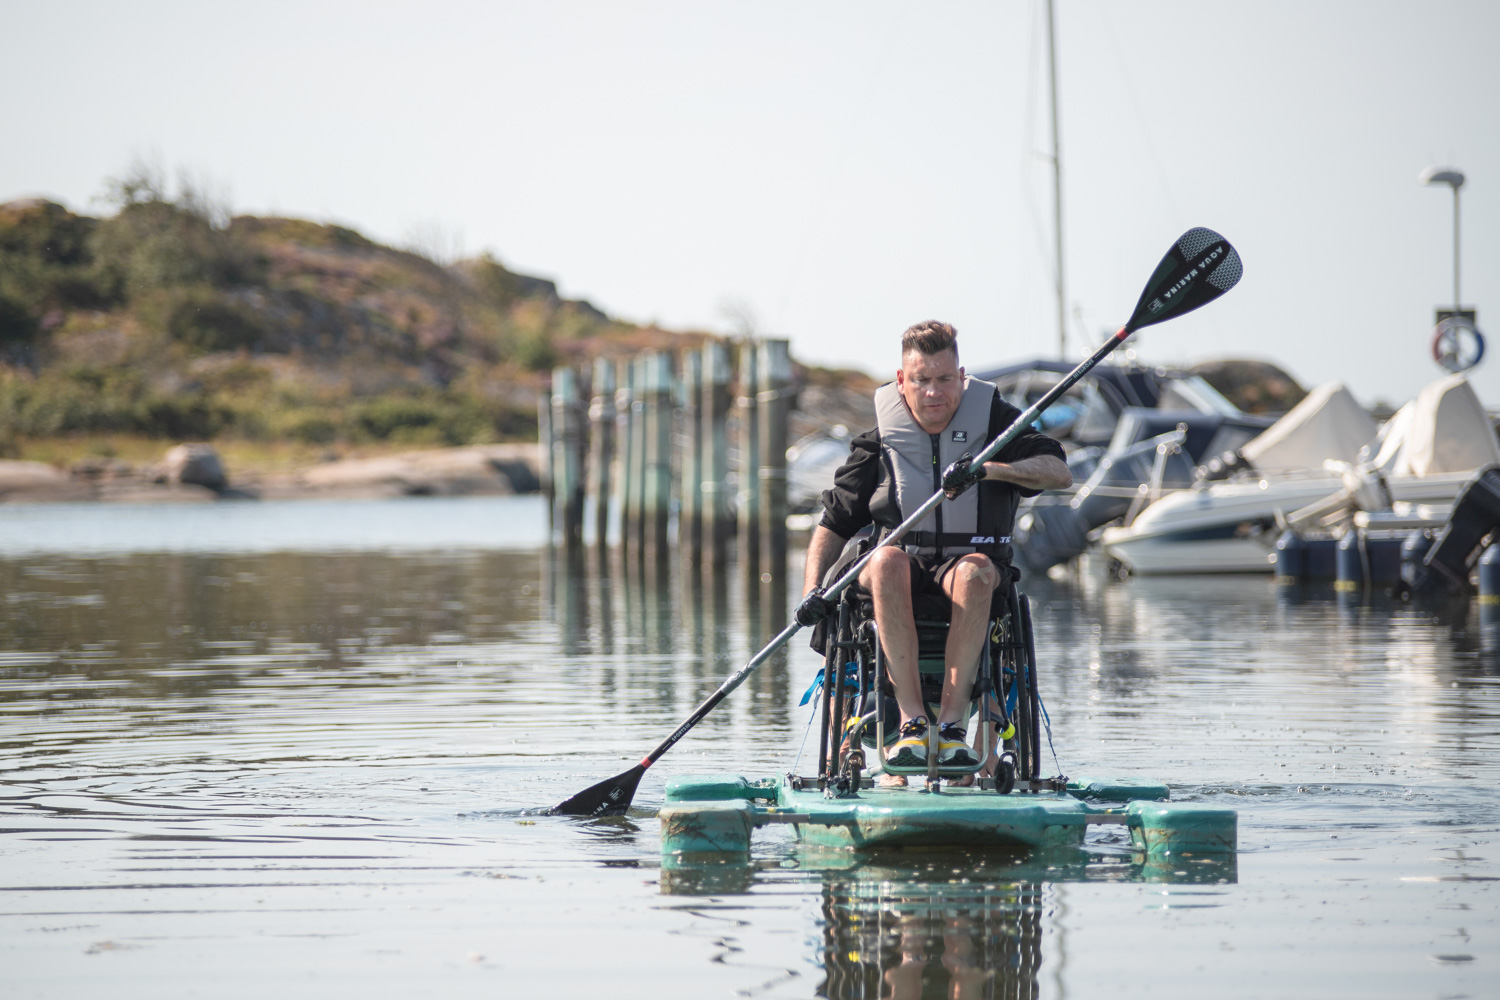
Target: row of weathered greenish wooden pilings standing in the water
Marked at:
673, 452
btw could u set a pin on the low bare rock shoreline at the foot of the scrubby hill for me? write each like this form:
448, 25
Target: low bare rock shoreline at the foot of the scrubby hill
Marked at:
194, 475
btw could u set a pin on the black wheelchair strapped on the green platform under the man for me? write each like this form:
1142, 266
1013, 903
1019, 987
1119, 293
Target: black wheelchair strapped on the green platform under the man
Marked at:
859, 714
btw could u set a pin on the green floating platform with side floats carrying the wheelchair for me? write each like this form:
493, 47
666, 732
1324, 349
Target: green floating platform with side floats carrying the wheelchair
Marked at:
719, 813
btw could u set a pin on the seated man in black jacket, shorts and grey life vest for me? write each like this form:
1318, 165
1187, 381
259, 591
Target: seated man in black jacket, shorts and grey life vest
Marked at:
929, 419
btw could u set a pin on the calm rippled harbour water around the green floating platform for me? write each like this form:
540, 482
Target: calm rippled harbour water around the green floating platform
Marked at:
301, 747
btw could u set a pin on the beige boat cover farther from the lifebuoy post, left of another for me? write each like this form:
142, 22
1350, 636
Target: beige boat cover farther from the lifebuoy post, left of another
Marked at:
1327, 425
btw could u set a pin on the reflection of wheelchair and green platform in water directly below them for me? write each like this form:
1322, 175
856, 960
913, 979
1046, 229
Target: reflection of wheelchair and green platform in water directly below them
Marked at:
907, 926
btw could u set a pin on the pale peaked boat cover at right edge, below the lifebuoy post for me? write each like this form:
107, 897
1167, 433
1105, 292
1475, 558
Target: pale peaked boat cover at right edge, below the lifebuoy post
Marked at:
1445, 430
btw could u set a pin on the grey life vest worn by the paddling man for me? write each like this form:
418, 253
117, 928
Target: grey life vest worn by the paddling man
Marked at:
914, 463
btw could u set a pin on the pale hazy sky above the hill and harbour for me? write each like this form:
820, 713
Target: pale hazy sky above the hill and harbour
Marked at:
832, 172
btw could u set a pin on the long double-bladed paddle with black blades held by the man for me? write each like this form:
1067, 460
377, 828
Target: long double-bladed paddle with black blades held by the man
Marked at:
1199, 268
